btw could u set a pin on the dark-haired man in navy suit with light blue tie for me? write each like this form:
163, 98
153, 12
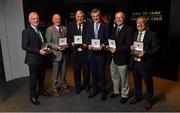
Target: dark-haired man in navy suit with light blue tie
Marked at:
98, 30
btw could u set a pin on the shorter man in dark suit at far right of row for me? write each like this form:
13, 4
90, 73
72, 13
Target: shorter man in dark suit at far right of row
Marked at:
143, 60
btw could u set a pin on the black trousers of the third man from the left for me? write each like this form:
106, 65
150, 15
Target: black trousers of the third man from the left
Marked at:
78, 62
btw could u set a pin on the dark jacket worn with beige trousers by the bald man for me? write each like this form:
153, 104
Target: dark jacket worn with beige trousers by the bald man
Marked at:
123, 41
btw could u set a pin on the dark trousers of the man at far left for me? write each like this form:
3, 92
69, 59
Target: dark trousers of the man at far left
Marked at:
37, 73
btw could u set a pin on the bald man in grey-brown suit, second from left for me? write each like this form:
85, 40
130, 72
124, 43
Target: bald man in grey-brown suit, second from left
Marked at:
59, 54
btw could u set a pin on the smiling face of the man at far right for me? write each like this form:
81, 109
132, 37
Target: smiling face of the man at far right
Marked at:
140, 24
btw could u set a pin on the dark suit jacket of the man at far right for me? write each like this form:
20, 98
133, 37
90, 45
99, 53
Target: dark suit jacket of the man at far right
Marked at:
151, 47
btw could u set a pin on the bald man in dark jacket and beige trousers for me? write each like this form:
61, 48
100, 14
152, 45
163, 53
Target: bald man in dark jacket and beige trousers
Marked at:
123, 35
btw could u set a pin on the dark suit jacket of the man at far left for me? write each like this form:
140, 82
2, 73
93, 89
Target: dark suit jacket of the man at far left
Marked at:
32, 43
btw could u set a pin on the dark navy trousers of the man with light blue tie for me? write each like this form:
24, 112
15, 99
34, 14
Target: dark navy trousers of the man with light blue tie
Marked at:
97, 63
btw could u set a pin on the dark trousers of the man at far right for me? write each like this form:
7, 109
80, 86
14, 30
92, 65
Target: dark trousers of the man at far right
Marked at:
143, 71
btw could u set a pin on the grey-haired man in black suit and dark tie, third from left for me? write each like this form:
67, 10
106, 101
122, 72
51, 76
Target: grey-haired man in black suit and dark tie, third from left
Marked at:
79, 51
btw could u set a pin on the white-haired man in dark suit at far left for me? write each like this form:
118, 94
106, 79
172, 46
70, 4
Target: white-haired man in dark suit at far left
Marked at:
32, 41
